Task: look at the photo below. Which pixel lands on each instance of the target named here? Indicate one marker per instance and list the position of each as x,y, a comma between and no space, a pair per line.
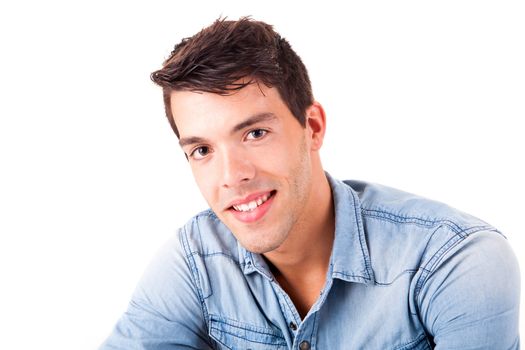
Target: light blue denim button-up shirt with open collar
405,273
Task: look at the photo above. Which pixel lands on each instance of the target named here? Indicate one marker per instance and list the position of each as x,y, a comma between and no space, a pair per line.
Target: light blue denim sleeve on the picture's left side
165,311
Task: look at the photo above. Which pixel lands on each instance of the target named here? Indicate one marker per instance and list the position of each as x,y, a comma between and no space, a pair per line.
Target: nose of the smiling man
237,168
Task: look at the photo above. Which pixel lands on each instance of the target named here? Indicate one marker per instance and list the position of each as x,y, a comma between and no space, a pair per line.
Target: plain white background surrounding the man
424,96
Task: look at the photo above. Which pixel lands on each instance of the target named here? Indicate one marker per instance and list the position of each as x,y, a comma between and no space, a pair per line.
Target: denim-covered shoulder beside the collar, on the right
406,232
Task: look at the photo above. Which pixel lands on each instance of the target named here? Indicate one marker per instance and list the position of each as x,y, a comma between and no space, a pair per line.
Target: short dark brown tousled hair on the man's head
229,55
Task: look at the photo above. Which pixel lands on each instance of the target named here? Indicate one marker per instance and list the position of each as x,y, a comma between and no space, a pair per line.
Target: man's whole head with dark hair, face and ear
240,101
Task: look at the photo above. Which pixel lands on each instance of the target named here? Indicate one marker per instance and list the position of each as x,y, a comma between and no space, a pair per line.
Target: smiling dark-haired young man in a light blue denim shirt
288,257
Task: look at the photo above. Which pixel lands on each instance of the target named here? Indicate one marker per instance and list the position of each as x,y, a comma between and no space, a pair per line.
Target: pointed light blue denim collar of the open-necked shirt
350,260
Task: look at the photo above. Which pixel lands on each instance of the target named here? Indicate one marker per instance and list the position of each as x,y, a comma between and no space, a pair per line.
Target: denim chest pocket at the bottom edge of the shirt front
233,334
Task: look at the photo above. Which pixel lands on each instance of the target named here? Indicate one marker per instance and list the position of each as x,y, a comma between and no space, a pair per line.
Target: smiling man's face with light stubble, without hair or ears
251,160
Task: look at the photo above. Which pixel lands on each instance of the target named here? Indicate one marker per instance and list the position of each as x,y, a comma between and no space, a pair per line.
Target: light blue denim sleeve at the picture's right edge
471,300
